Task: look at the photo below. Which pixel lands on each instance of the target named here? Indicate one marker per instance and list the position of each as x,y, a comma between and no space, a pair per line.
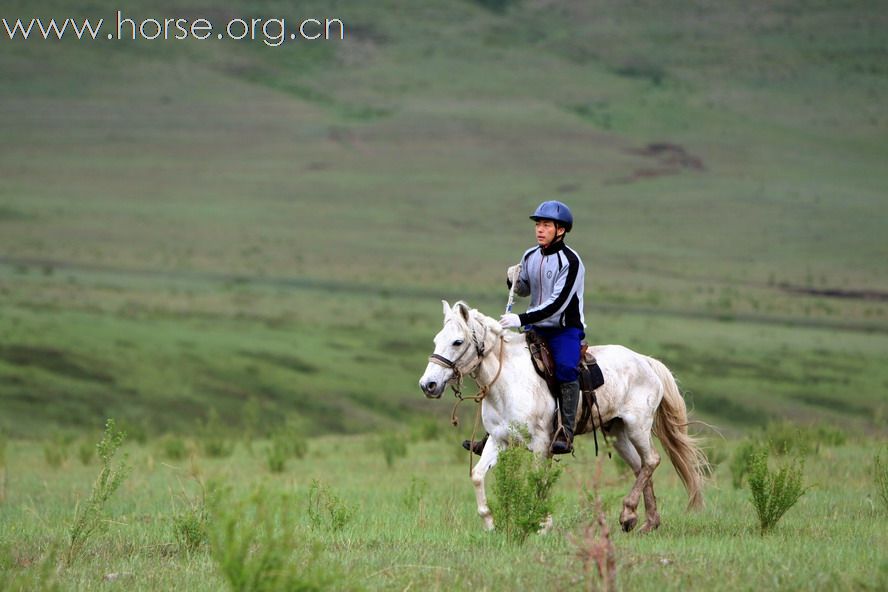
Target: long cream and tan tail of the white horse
671,427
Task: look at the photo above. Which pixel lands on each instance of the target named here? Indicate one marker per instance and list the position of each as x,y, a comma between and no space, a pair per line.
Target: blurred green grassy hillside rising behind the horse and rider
189,225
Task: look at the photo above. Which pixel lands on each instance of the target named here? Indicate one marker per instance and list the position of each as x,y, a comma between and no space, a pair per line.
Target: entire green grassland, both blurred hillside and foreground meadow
201,227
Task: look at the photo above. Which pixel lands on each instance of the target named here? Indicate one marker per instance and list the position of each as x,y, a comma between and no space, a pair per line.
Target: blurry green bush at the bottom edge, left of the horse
258,547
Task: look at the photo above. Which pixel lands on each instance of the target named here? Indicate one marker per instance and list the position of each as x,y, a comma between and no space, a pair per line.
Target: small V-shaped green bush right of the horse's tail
774,493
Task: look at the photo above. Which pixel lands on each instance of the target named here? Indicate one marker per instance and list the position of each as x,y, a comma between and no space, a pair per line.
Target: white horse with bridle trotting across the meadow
639,396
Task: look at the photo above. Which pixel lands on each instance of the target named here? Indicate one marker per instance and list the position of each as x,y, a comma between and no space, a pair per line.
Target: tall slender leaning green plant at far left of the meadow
88,518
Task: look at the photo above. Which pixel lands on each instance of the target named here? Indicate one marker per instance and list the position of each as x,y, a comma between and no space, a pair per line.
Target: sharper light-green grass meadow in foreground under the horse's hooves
414,525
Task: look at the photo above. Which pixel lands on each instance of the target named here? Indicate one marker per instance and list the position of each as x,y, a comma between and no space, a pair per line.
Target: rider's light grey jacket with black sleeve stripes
553,277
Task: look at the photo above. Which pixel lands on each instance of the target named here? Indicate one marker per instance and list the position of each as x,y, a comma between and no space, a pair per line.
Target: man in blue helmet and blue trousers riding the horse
552,274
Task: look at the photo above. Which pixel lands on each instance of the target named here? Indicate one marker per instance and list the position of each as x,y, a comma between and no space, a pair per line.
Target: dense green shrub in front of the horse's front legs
522,491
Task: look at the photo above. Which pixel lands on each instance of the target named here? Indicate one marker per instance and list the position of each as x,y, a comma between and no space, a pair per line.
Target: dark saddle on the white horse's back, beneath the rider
591,378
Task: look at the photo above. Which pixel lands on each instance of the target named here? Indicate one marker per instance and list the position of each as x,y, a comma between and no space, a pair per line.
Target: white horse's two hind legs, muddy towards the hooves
643,453
